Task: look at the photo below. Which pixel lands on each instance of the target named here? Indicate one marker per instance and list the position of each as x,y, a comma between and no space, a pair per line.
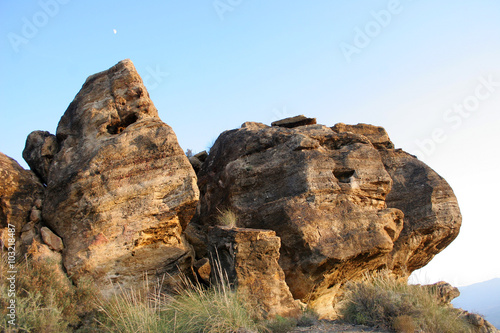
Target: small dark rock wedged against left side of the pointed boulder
40,148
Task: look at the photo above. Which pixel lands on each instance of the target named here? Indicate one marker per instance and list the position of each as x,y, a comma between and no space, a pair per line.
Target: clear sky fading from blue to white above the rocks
428,72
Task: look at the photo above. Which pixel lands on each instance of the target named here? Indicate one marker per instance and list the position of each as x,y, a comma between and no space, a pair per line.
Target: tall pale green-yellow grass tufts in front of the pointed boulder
194,308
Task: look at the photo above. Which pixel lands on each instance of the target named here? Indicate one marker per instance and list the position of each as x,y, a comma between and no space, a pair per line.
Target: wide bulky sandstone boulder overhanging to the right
328,194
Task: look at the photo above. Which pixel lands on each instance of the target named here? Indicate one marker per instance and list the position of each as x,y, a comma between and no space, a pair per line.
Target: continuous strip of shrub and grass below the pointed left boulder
48,303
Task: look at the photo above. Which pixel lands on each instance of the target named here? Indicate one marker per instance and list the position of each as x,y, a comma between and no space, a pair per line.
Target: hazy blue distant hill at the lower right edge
482,298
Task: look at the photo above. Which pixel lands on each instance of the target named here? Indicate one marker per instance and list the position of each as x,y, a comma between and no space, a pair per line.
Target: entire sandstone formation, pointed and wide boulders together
120,194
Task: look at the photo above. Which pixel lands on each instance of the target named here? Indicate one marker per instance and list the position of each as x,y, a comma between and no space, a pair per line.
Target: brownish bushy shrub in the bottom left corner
45,301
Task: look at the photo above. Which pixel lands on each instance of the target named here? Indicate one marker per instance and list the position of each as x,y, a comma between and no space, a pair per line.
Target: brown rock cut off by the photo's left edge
19,190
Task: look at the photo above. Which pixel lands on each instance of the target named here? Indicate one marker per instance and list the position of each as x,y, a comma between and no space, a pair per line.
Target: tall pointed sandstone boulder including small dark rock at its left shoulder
120,190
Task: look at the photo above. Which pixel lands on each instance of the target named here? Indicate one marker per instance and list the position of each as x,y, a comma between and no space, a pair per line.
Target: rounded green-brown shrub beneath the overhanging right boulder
383,301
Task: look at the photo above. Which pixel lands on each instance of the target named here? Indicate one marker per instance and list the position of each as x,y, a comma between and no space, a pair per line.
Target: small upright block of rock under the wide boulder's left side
250,259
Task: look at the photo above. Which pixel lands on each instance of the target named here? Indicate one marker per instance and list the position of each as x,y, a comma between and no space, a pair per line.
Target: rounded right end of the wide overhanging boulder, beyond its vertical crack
432,216
